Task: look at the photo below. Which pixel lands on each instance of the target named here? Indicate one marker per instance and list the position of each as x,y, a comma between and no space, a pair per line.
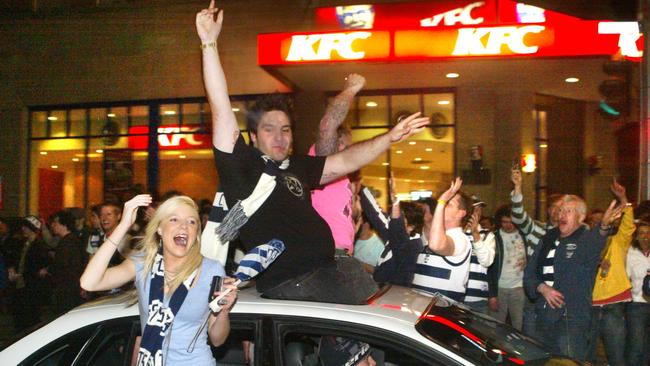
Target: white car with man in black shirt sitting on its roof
402,327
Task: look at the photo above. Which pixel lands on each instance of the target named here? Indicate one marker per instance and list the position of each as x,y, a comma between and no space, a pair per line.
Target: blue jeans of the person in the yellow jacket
608,322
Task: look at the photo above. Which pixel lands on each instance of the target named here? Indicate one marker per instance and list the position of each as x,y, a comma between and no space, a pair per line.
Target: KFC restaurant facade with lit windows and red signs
102,103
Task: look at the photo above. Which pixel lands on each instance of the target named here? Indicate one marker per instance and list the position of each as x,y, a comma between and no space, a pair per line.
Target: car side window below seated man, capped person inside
299,344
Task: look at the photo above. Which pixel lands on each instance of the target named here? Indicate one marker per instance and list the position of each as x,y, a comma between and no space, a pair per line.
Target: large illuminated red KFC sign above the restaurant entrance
452,29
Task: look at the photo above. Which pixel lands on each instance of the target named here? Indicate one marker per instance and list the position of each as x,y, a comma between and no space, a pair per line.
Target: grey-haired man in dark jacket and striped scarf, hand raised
560,276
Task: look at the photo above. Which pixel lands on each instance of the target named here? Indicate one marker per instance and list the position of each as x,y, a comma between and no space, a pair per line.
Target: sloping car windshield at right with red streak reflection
477,336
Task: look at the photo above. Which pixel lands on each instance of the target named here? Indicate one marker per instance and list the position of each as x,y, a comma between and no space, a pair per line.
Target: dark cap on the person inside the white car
339,351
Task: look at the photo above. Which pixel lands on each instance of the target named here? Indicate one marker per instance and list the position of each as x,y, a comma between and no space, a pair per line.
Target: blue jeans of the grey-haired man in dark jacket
566,337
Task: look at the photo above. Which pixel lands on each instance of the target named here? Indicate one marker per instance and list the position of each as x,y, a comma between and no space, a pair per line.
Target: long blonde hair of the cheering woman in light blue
150,244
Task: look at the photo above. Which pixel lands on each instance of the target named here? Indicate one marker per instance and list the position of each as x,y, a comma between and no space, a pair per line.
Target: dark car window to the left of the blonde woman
62,351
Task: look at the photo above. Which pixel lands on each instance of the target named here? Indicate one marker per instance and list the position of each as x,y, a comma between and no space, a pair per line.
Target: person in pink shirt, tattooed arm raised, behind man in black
334,202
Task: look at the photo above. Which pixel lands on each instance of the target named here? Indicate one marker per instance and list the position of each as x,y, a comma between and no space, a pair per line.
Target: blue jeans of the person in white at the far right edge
638,333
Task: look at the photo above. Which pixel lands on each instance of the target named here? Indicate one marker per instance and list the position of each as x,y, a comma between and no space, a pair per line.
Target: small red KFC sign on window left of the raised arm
170,138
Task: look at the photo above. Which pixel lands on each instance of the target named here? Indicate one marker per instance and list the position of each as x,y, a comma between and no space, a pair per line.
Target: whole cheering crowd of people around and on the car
569,282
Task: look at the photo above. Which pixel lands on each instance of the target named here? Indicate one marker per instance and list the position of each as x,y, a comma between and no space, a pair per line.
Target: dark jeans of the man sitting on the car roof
343,281
